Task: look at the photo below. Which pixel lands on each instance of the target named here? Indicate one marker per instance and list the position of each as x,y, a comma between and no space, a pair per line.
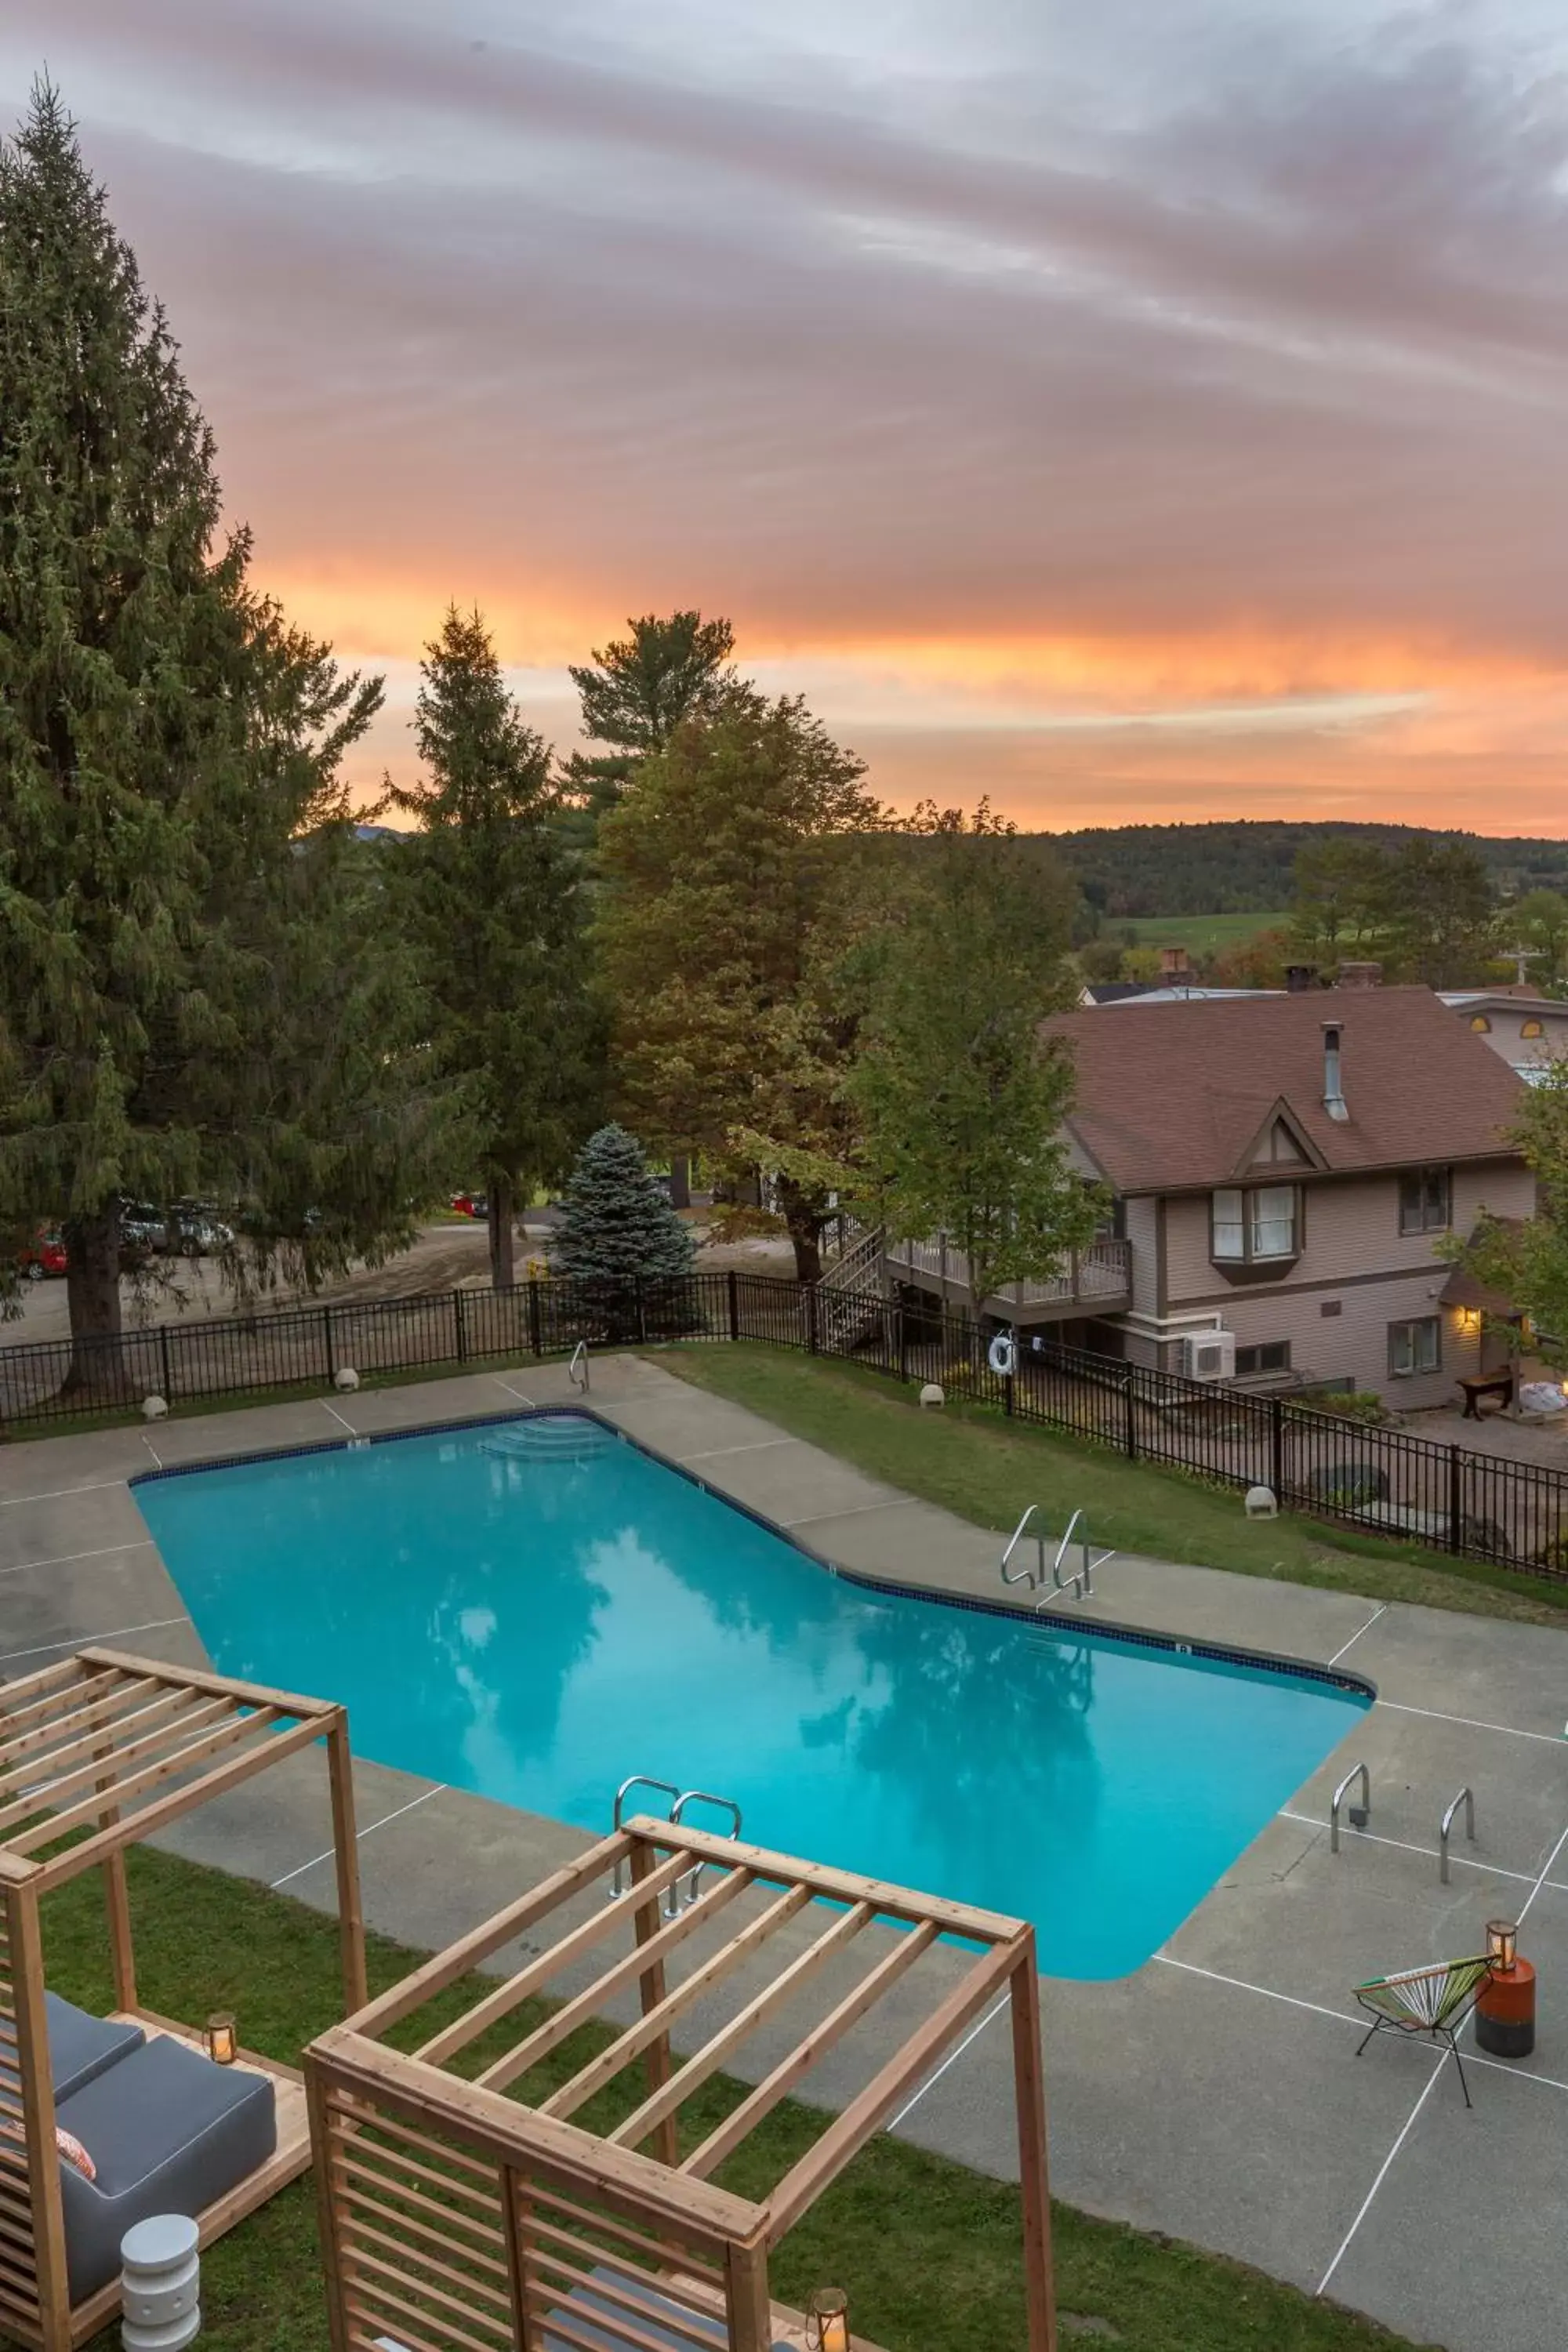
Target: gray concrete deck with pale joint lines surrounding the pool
1214,2094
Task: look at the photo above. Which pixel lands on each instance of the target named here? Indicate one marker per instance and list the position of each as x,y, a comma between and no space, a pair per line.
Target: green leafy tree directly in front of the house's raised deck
963,1100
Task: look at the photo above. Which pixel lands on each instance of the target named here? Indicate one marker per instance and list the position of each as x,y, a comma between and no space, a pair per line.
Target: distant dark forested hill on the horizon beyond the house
1240,869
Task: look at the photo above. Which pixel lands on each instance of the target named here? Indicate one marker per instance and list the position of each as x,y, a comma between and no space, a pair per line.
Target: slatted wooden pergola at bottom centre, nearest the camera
469,2210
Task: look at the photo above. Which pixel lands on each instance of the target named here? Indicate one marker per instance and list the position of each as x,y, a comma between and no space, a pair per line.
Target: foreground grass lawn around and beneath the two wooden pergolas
927,2250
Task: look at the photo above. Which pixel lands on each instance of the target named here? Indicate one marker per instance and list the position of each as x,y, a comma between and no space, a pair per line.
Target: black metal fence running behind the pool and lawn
1379,1481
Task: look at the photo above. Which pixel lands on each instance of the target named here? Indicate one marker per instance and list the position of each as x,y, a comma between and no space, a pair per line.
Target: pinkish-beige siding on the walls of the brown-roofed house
1355,1257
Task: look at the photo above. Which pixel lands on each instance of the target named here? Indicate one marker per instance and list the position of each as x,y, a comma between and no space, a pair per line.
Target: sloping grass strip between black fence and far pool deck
986,1469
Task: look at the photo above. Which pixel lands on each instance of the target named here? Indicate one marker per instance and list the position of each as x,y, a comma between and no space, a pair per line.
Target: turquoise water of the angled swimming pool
535,1626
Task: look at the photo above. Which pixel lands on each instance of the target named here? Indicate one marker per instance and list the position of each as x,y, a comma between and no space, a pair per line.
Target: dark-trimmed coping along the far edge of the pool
894,1589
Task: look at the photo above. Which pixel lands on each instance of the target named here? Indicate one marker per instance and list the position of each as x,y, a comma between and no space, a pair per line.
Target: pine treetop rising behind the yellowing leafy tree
636,695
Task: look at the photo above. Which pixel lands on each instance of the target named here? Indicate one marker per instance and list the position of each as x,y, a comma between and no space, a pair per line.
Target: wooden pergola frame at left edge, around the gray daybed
107,1749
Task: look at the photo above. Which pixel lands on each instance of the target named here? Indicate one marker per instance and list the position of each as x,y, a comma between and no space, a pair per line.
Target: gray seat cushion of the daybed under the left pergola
168,2132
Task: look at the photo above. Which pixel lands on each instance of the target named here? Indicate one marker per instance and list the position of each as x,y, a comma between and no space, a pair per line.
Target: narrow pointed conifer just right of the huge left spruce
495,914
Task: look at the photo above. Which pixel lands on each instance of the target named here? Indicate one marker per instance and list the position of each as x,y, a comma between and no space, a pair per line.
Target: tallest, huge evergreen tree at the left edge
180,1001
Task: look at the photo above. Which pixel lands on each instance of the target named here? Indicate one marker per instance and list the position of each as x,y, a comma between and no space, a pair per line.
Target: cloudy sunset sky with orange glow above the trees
1130,408
